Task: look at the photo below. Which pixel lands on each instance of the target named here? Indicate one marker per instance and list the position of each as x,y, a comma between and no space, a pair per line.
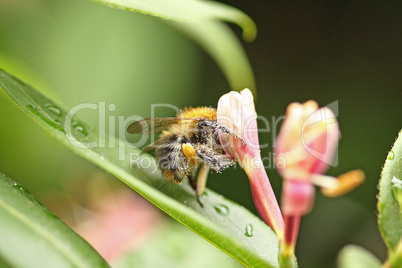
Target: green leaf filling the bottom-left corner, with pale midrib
32,236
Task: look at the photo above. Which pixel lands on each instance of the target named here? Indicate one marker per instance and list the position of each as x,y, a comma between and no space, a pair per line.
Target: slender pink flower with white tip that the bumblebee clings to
236,112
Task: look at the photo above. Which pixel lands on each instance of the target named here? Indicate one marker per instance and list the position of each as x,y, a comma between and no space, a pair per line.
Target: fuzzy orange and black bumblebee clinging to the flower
187,142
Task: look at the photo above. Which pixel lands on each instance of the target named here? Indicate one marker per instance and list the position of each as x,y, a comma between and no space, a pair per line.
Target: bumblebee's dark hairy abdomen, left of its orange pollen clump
171,159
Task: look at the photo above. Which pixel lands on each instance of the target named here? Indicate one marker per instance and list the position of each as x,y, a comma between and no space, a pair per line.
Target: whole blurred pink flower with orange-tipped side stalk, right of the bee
306,144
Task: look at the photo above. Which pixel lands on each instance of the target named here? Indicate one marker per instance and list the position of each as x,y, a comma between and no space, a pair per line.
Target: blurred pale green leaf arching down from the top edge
201,20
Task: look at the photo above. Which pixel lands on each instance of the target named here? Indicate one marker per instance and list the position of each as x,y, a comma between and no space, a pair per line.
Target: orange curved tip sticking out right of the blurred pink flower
346,182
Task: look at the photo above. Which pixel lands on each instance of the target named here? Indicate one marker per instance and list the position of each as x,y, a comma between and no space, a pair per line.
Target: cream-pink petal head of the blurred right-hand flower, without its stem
307,140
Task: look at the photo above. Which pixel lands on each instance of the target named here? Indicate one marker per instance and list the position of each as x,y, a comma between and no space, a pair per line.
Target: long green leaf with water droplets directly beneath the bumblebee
225,224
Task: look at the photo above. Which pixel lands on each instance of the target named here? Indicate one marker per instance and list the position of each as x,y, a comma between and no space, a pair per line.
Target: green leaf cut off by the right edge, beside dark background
389,210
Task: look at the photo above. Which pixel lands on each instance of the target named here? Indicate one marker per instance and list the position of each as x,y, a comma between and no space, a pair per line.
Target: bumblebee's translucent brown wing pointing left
155,125
